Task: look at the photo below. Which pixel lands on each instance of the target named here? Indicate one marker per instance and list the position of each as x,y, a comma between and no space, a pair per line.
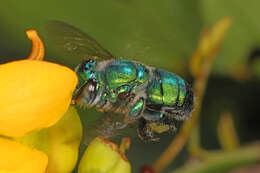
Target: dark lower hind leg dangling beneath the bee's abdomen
144,131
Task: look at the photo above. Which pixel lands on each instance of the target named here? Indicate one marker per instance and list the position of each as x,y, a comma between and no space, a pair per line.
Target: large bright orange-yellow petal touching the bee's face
34,94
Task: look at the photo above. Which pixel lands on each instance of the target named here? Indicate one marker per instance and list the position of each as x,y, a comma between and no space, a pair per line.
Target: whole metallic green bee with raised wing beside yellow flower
152,97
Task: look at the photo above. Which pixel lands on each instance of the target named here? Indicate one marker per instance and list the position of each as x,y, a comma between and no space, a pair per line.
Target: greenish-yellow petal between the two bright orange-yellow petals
60,142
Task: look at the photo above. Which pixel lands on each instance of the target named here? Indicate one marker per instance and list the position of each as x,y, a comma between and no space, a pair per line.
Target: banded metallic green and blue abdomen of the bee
168,90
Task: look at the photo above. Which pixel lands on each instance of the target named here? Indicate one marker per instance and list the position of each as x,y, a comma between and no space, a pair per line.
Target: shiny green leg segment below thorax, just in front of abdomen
135,109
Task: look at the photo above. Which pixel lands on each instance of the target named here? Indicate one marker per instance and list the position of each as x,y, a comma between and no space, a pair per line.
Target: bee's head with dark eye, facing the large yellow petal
86,90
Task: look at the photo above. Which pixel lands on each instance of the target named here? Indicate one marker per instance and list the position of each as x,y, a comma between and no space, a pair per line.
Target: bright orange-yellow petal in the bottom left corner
18,158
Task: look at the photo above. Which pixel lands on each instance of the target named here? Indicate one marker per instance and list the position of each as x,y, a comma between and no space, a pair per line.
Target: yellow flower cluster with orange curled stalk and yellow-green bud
39,131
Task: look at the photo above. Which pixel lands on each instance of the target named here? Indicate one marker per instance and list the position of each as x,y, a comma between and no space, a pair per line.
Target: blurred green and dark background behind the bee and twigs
163,34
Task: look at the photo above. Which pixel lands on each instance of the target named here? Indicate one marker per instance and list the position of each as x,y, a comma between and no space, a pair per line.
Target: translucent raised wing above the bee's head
73,41
